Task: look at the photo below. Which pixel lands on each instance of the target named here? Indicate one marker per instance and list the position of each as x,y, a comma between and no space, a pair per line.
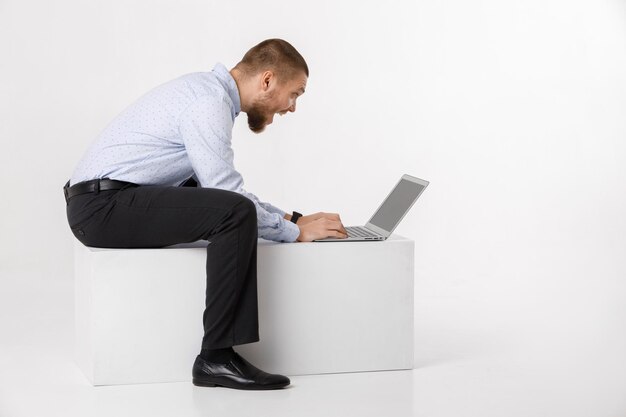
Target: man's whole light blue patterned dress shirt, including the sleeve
180,129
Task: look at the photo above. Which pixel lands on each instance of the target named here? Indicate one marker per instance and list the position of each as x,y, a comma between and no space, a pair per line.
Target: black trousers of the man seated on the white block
153,216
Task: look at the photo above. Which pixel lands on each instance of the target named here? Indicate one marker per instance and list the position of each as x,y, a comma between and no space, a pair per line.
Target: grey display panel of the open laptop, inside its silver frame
397,204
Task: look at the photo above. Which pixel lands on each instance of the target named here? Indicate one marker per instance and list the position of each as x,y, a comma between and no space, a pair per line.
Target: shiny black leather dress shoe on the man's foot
238,373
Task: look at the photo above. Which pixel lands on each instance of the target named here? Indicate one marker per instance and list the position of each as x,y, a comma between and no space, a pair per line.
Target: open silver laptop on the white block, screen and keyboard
388,215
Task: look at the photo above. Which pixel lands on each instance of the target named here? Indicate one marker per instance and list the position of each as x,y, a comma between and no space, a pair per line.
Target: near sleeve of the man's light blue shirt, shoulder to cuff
206,130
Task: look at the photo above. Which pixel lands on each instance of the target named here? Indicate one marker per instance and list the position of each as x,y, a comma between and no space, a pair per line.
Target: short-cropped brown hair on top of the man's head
276,55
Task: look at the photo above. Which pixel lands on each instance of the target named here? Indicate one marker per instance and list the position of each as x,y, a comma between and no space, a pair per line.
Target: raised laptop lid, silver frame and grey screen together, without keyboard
396,205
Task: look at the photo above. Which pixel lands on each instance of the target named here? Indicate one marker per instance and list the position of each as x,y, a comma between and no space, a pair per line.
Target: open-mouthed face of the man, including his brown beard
274,97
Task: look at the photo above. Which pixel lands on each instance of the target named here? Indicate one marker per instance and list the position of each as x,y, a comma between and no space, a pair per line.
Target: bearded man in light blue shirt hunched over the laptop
126,193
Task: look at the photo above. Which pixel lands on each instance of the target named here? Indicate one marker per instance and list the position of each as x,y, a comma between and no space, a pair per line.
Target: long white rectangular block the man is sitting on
323,308
